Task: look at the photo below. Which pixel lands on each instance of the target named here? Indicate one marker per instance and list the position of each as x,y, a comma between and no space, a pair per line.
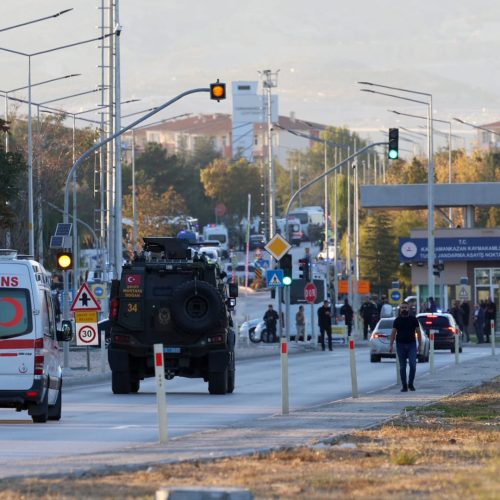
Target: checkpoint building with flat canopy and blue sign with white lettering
469,257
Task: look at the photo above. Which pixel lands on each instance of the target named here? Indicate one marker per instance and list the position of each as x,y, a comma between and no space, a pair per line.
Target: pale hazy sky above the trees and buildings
322,48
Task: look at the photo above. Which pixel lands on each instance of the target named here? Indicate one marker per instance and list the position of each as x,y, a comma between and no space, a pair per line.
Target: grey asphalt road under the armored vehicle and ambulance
96,422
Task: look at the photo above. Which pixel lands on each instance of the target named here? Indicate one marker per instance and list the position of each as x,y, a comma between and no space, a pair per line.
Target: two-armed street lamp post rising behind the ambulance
31,236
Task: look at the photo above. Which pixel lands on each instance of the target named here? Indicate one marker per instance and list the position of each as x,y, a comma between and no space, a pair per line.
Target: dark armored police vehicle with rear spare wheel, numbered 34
172,295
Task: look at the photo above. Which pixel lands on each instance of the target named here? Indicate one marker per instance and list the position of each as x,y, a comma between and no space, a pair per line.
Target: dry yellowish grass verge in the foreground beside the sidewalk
447,450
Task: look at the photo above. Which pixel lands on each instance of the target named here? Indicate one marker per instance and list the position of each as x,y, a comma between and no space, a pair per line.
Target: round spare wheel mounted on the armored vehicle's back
197,307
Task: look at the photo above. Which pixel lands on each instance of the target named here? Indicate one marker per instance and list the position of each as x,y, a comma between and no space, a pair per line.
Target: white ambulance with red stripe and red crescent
30,368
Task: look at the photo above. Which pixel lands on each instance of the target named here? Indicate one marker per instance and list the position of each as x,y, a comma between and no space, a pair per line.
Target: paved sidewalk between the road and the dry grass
310,427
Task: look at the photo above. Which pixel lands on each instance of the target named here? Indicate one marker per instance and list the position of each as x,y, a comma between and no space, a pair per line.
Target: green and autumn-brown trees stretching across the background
172,183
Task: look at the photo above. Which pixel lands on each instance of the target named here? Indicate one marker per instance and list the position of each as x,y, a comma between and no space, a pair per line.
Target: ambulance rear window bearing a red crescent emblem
15,312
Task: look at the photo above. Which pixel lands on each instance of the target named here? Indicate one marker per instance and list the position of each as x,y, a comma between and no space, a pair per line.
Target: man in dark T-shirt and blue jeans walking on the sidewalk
406,333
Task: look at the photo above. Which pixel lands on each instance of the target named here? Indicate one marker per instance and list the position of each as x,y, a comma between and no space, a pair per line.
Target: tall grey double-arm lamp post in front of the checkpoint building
430,172
